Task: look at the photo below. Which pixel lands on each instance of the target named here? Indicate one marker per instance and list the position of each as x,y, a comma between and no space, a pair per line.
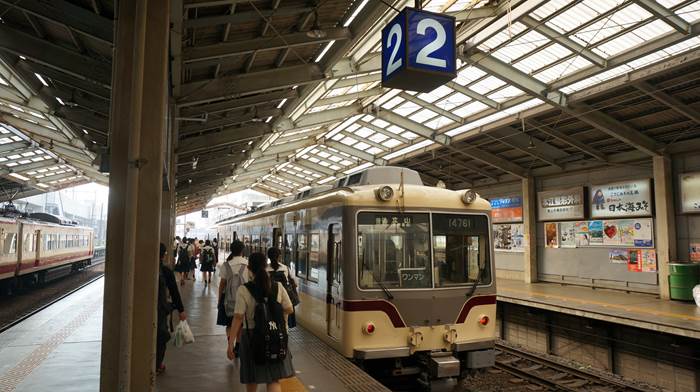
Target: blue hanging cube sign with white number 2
418,50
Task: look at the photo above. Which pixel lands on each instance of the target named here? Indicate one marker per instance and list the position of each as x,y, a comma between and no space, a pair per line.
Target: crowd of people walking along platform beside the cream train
256,300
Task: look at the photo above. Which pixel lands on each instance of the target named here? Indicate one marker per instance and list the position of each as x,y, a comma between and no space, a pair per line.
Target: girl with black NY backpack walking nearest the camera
261,310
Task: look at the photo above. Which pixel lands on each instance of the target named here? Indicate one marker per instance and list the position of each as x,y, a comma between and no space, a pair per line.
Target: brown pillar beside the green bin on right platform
665,220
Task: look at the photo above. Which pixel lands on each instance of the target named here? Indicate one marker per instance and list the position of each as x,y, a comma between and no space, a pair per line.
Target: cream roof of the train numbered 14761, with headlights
360,189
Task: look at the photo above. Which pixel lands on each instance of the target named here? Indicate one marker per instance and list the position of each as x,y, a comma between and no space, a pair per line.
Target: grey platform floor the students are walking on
58,349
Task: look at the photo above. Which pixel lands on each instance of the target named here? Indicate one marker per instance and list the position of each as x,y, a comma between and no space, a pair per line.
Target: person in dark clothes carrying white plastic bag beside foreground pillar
167,288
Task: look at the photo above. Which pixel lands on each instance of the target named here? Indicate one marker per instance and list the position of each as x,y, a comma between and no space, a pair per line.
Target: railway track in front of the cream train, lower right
554,376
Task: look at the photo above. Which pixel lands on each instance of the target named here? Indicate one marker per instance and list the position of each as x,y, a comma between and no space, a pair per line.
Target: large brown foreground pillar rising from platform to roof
137,127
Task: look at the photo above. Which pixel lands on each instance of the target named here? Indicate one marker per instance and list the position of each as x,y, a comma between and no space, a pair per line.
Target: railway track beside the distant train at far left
41,298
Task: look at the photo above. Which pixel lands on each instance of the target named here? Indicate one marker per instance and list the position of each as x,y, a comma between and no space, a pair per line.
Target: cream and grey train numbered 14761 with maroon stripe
393,274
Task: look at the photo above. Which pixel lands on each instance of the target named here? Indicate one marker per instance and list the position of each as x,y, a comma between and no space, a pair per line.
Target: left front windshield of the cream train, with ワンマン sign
393,250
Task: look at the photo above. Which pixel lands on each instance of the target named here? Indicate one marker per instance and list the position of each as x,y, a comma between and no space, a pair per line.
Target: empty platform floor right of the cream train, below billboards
633,309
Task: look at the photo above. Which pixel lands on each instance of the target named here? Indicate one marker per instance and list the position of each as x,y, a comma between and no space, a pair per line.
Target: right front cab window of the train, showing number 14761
461,249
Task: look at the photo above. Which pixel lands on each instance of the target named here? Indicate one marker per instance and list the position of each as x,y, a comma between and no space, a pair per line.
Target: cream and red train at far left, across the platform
40,247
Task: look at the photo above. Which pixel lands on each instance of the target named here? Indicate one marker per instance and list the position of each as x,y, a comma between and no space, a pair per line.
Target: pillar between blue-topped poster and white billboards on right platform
530,230
